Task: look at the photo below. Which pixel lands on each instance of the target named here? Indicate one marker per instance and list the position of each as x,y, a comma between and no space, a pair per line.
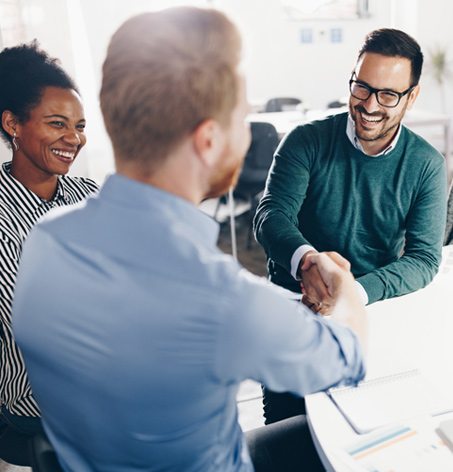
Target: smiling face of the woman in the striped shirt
54,134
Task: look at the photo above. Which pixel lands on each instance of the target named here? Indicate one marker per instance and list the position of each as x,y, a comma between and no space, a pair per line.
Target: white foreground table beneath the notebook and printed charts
415,330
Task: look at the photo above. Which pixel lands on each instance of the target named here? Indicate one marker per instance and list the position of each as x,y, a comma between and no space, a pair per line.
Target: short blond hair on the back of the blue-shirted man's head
165,73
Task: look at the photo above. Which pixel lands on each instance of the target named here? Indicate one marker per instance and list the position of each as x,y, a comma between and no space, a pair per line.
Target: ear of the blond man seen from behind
208,140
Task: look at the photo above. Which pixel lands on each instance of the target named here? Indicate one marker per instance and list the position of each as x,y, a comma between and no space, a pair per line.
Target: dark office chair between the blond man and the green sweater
258,160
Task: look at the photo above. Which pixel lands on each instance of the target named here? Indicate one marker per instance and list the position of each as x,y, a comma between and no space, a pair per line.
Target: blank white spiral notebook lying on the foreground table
386,400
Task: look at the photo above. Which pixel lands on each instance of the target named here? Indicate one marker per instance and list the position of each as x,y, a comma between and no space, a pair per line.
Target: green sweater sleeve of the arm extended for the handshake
276,223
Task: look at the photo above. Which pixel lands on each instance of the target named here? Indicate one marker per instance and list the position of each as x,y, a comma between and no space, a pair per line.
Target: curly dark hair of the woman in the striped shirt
25,71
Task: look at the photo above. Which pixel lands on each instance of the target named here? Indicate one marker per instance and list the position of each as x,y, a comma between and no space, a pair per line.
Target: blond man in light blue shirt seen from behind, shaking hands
153,328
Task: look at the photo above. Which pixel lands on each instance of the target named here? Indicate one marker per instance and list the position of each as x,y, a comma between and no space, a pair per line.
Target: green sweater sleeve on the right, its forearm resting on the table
425,227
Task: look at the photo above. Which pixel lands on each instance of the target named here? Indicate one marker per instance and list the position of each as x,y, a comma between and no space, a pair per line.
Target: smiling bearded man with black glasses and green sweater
361,184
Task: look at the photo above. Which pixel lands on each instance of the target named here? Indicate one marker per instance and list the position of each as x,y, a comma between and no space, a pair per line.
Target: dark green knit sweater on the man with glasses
323,191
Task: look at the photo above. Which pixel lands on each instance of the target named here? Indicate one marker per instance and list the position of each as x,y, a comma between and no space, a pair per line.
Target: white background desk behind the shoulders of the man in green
287,120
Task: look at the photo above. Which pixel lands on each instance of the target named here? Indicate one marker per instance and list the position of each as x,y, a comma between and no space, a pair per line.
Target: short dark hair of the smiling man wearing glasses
393,42
